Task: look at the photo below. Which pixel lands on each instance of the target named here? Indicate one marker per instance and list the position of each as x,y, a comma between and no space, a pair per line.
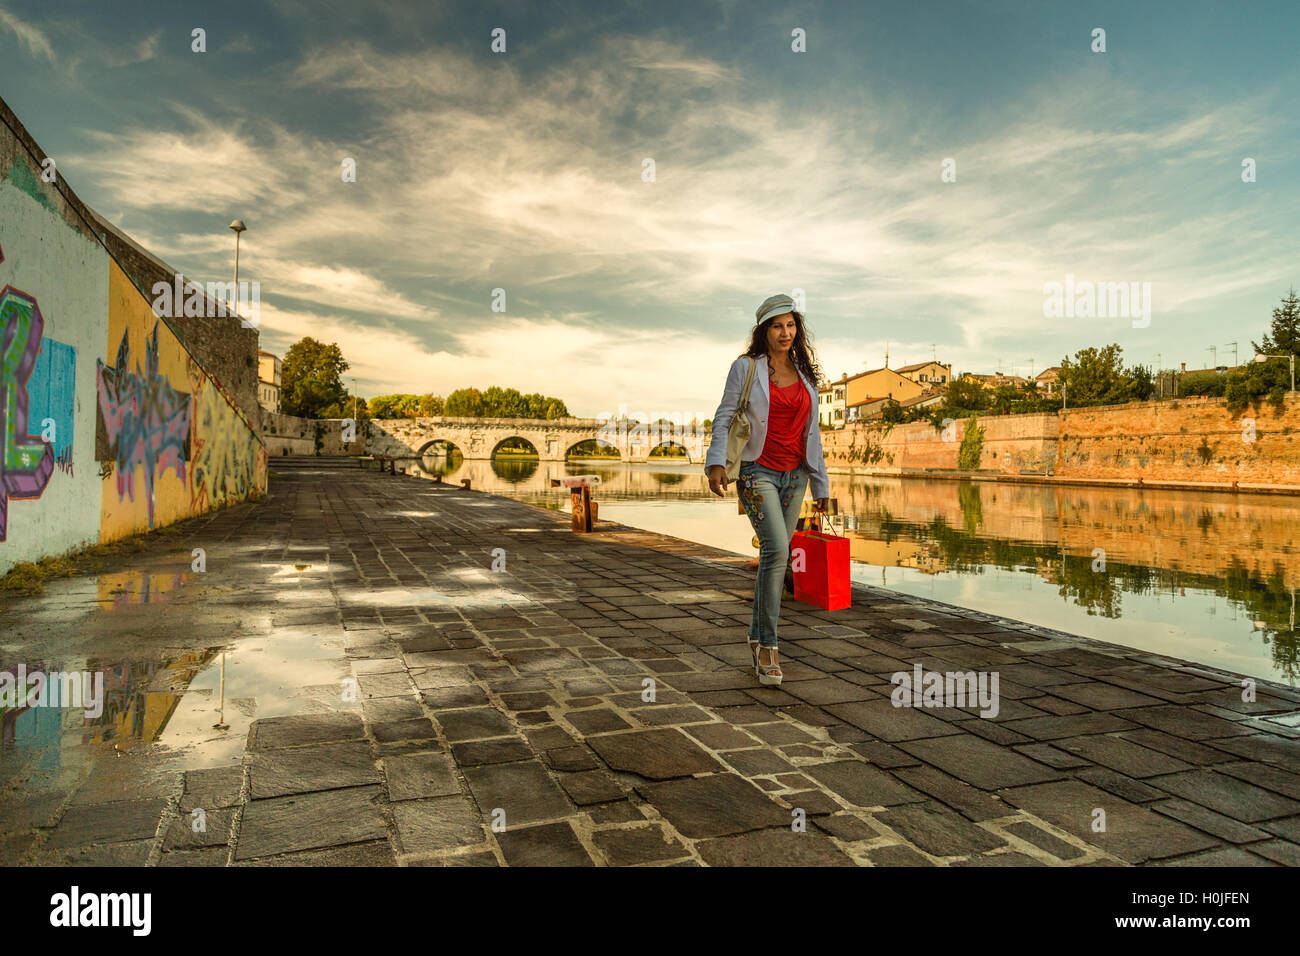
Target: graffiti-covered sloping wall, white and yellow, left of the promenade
111,423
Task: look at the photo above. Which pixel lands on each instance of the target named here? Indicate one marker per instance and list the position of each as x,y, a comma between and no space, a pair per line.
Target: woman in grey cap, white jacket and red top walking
782,457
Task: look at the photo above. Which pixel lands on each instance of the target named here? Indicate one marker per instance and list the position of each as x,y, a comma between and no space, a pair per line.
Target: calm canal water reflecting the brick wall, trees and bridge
1204,577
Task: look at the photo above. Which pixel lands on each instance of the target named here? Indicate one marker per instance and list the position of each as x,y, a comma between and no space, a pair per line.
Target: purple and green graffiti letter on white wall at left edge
27,461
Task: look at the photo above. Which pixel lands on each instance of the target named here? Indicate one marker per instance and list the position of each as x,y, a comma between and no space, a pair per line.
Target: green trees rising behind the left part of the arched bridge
311,387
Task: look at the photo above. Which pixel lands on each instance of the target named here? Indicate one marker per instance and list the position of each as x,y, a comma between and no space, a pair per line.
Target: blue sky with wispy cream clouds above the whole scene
774,171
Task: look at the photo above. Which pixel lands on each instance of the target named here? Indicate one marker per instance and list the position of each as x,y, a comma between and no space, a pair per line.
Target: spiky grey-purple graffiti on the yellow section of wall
146,422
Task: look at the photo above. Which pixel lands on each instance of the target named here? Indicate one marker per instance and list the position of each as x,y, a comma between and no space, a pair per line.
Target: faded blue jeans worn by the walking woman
773,501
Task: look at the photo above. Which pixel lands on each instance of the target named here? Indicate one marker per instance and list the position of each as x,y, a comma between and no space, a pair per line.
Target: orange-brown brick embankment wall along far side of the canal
1185,440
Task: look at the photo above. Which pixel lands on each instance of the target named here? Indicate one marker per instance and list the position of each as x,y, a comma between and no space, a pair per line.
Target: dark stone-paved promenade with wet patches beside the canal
515,698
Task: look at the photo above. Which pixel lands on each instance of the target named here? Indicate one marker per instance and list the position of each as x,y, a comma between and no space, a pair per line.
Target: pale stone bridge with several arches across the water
552,438
